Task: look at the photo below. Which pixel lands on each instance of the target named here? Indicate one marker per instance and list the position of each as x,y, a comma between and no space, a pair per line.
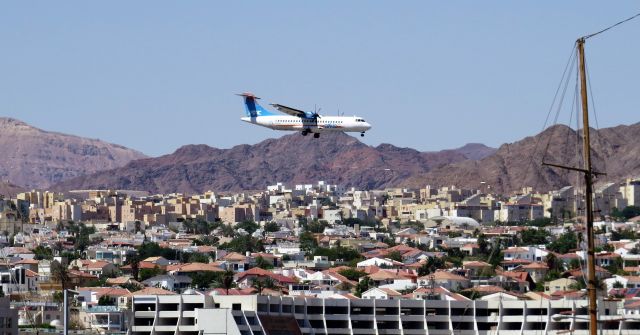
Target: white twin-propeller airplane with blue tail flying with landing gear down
298,120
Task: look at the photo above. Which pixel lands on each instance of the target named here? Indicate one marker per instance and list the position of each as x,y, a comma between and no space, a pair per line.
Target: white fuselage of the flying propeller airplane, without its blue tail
319,125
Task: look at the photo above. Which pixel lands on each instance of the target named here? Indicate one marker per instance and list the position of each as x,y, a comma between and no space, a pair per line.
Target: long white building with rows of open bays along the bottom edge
260,315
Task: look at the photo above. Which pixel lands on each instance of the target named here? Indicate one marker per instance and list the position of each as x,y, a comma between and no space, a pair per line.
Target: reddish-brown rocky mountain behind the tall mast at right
615,151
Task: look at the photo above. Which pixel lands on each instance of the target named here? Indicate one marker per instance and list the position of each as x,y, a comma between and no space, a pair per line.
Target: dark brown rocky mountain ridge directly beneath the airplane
336,158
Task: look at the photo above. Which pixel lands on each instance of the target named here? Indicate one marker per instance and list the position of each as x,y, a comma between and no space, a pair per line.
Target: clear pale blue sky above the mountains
156,75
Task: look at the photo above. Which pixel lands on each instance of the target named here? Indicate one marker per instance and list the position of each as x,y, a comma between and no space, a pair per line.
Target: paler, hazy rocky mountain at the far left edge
35,158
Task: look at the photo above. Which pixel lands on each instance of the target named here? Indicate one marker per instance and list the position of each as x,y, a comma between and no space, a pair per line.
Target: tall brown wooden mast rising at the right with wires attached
588,178
